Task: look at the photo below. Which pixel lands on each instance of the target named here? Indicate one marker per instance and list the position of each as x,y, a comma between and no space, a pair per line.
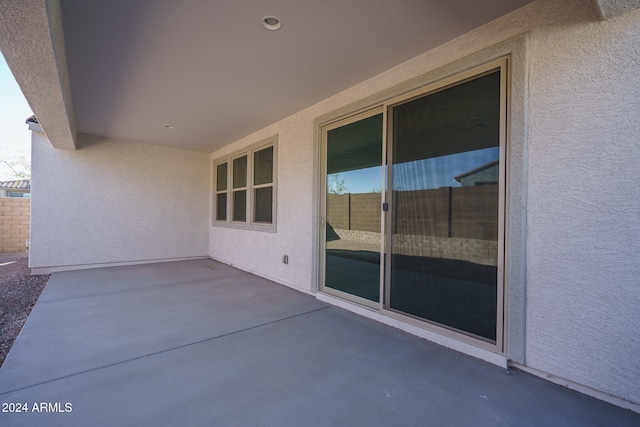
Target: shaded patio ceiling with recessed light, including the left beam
130,69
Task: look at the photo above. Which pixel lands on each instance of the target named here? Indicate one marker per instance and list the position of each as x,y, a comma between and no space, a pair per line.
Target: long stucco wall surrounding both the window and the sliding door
581,205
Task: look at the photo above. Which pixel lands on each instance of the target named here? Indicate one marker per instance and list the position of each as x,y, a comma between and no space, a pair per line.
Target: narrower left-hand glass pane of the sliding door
353,203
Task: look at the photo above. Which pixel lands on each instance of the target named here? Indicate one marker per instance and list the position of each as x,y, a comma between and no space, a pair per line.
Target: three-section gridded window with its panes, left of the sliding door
244,188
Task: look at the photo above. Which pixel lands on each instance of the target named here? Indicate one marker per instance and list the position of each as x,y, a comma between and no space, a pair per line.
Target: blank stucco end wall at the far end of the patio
116,201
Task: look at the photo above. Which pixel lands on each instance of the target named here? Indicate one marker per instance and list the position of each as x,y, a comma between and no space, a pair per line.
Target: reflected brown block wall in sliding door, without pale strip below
462,212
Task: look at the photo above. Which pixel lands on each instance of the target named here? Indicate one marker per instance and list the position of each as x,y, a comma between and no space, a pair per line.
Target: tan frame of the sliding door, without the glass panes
385,107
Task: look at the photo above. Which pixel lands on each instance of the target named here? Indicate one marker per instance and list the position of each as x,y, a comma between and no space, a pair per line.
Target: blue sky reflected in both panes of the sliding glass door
420,174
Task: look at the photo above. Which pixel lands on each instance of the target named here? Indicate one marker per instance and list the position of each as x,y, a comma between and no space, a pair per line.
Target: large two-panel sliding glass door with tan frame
427,228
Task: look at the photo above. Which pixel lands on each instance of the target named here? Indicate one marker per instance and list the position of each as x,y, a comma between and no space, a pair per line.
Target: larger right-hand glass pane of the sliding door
445,207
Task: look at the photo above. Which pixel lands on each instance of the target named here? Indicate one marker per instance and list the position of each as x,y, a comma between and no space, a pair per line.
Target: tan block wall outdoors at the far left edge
14,224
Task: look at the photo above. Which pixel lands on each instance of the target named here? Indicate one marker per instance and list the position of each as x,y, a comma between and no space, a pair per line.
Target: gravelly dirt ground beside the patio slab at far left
19,291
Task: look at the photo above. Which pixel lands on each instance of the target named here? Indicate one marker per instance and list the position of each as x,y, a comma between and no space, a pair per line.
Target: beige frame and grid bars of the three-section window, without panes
250,223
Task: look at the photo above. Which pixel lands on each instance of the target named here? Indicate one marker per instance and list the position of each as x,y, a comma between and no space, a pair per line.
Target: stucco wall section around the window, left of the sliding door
261,252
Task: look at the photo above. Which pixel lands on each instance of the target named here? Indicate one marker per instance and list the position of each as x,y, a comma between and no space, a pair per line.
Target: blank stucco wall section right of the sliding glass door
583,296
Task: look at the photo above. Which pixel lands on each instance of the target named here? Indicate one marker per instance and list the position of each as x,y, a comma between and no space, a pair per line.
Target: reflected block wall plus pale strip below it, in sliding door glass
454,223
